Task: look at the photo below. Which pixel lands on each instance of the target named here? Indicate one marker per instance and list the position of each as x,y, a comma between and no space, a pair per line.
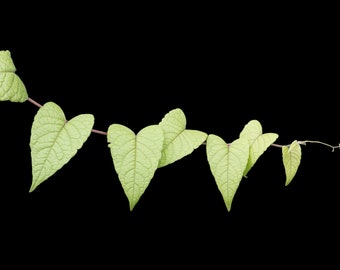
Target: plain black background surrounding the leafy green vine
223,67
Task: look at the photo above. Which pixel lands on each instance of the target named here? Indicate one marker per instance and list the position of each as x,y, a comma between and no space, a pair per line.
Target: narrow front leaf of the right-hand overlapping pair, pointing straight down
227,164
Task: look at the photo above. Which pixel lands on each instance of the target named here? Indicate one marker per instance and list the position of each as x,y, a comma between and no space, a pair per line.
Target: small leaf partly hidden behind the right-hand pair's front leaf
258,142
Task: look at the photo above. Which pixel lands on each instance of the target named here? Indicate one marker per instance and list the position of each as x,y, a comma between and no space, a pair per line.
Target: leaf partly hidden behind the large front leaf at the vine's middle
178,141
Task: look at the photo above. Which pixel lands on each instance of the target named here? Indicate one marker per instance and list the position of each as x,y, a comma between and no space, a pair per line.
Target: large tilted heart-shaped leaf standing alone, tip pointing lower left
54,140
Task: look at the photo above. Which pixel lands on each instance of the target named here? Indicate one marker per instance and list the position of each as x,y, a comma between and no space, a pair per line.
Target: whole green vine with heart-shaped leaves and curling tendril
55,140
